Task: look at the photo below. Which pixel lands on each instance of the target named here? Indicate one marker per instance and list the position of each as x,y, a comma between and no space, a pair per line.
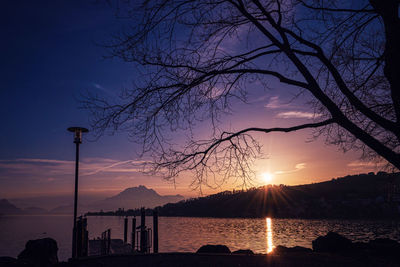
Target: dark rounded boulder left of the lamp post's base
40,252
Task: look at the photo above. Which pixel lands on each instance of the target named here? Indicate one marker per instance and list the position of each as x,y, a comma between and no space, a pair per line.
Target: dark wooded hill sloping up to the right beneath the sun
357,196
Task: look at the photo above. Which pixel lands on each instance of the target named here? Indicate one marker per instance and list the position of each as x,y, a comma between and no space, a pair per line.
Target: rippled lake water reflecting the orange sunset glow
188,234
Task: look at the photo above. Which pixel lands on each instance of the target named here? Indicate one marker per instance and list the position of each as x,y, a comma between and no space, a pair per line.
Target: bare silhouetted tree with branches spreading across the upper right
342,56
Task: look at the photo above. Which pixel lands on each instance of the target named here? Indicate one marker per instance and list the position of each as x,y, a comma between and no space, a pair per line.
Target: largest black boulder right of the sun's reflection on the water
332,242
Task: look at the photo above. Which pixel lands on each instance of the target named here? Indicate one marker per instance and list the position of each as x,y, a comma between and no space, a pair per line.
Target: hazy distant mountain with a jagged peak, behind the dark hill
134,197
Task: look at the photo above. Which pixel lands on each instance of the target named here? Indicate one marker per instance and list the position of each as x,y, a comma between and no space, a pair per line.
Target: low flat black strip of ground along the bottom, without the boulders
196,259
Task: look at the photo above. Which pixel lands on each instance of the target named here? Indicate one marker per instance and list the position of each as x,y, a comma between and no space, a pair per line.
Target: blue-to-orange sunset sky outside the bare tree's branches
52,54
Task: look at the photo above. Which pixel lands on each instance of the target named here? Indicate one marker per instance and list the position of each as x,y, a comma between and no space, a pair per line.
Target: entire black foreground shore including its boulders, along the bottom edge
329,250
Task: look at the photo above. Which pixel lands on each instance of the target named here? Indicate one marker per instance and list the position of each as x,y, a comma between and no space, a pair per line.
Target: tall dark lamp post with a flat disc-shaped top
77,140
